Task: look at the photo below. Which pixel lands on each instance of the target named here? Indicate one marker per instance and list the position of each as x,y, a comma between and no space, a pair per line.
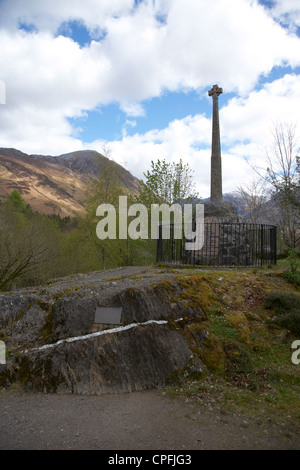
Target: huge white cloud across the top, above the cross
140,57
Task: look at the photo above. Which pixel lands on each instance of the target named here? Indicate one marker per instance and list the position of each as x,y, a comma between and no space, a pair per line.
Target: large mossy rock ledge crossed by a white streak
51,345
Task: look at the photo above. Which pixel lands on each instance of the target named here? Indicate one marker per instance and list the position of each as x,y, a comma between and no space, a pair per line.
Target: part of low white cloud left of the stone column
180,139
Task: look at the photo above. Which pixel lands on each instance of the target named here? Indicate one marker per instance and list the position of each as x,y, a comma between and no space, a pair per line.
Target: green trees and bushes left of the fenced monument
35,248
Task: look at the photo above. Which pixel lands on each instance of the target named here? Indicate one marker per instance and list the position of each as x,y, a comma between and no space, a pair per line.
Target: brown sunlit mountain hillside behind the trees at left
54,184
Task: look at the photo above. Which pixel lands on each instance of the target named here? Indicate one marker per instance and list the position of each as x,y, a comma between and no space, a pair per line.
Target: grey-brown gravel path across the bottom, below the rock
147,420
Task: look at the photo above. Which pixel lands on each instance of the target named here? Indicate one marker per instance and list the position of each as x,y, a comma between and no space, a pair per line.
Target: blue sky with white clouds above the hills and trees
130,79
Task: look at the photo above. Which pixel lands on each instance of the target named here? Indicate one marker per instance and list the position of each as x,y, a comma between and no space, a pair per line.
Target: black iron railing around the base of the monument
225,244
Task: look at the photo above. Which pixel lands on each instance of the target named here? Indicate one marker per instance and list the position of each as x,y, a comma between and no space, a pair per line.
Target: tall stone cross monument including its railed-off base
228,239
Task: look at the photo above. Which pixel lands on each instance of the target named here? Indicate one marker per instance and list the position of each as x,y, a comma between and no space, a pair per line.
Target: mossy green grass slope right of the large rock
259,376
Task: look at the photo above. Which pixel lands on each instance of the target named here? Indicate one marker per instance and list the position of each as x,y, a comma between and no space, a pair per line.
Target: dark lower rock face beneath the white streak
135,359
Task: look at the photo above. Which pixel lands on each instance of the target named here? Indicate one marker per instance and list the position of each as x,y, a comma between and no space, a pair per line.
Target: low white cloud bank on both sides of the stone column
246,127
